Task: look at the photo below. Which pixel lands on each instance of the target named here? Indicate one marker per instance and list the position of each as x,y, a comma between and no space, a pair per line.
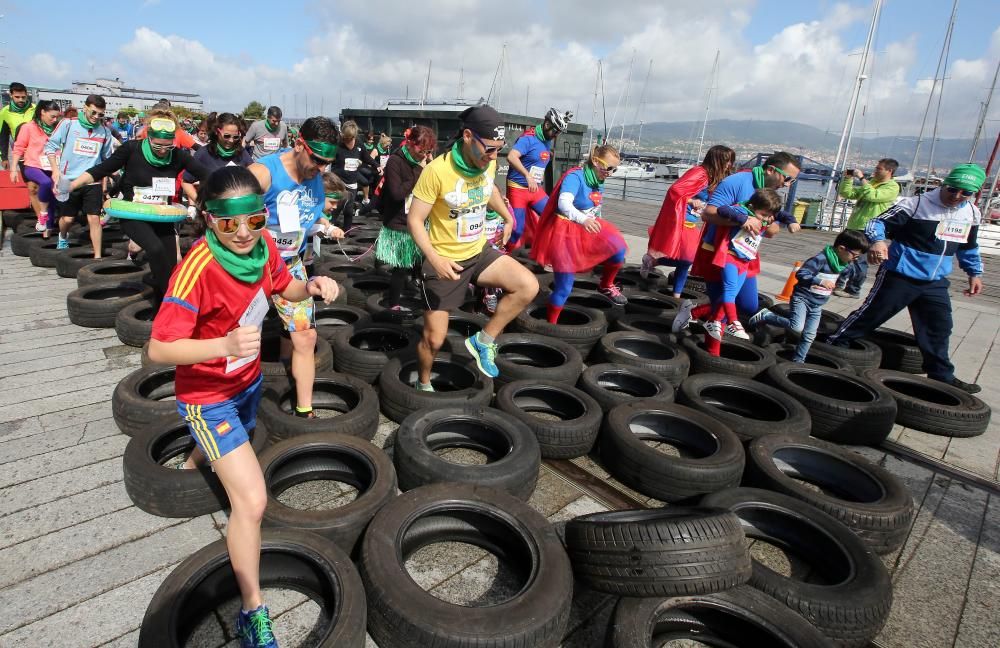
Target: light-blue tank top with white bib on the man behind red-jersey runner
289,201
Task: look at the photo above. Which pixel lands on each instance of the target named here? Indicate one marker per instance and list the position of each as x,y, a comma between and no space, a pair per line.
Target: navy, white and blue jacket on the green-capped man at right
926,235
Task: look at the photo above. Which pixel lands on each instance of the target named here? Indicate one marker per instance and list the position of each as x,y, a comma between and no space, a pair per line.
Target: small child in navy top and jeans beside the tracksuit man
817,279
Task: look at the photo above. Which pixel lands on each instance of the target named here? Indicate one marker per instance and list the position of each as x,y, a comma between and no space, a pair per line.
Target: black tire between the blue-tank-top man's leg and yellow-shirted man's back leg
364,350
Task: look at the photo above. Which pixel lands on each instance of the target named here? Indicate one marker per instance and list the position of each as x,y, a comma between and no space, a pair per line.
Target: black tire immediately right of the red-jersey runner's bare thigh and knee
326,456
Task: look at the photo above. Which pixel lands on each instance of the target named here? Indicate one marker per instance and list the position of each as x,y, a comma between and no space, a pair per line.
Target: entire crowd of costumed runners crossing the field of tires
446,226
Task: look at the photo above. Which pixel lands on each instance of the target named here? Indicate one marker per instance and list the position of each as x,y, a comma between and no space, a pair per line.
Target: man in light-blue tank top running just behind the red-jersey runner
292,182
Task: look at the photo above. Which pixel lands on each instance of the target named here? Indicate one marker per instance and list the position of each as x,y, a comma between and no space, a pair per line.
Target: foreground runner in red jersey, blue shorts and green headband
209,326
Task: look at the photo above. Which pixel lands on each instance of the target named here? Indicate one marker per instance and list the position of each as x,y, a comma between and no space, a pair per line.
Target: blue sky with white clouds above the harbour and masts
779,60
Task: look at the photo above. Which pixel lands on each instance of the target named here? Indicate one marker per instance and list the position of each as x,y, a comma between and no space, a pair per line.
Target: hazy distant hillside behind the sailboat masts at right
804,139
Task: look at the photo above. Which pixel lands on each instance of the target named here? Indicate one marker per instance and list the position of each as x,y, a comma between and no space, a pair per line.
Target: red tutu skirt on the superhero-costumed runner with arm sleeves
568,247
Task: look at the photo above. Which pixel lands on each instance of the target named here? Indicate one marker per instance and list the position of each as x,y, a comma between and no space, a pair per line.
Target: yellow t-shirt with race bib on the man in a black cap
458,209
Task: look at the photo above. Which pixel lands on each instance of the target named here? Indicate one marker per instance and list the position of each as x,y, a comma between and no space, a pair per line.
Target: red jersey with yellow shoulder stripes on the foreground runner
204,302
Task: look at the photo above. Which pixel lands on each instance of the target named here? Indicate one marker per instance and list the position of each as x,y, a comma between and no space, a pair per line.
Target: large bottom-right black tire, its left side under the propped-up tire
852,602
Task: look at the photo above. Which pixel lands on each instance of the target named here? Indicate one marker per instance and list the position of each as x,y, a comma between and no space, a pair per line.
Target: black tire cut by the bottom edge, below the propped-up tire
742,616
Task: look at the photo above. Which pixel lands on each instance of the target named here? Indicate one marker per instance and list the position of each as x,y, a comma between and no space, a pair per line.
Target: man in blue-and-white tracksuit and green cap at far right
926,232
